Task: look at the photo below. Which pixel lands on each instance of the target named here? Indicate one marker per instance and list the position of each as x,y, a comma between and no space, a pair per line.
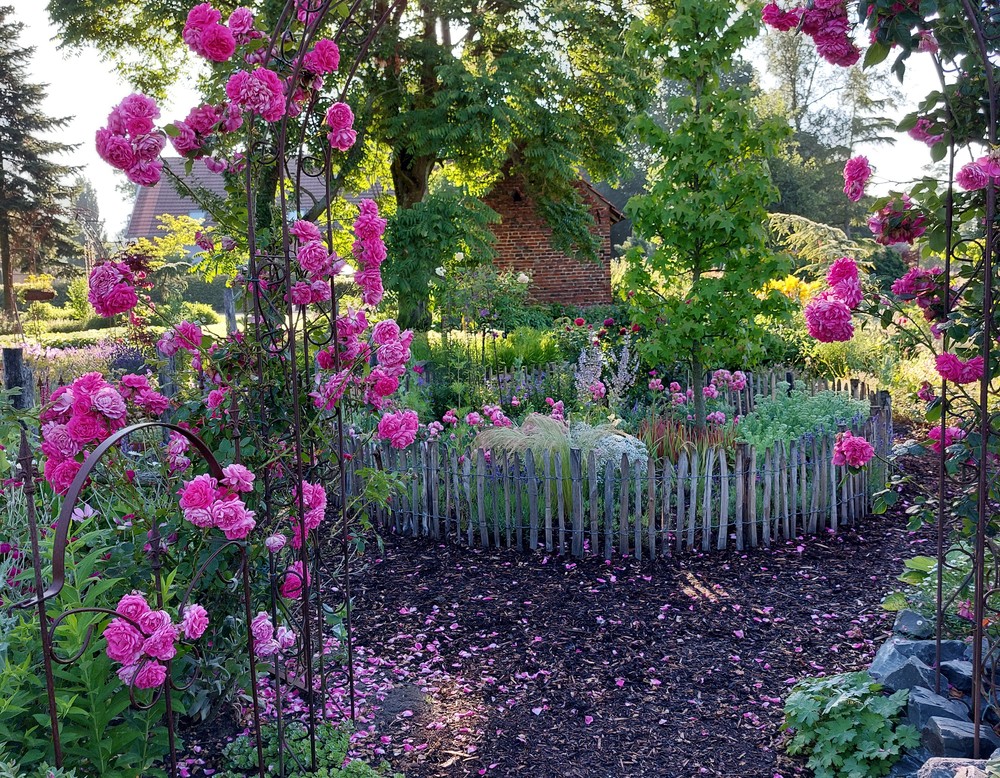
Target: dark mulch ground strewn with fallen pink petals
672,669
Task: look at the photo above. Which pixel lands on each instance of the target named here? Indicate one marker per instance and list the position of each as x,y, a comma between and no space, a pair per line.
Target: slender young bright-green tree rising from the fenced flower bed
697,286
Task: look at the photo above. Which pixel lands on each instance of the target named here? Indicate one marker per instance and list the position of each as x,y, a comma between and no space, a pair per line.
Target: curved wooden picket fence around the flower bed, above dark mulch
712,500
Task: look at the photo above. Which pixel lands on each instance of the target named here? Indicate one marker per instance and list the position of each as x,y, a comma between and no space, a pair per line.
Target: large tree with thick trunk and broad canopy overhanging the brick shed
463,90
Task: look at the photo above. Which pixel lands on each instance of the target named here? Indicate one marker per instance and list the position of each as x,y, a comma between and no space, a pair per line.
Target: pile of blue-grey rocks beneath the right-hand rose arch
942,714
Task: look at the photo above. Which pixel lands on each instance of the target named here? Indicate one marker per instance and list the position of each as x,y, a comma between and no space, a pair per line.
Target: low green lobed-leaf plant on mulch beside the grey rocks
847,726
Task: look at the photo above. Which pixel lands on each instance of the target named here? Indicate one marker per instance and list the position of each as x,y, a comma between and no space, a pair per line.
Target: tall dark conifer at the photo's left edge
33,193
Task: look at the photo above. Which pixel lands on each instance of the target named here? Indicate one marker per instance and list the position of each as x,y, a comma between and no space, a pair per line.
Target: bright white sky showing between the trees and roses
82,86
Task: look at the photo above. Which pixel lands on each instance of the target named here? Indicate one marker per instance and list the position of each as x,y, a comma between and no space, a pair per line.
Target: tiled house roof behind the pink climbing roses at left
163,197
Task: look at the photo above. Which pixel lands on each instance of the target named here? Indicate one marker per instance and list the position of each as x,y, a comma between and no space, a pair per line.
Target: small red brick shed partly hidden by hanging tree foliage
523,246
